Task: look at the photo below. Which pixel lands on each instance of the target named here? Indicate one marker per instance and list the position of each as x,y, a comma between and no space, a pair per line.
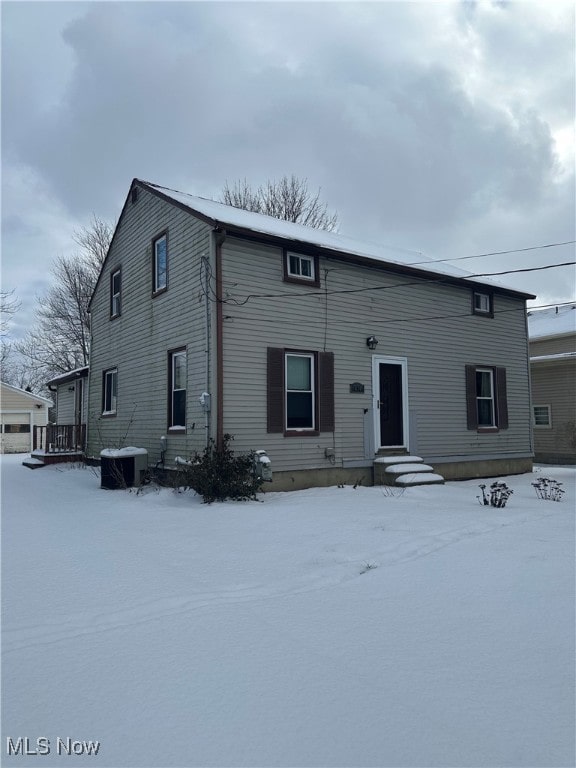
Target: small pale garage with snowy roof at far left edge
20,413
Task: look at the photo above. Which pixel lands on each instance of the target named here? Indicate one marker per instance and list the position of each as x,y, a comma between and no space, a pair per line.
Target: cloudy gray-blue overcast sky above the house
447,128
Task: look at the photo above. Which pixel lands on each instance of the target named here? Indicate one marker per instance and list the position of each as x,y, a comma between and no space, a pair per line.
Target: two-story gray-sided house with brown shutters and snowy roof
324,352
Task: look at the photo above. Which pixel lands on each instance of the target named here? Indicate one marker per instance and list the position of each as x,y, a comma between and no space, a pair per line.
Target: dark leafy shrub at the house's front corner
217,474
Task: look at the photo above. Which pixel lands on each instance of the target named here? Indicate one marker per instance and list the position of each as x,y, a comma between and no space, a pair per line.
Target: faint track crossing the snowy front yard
78,625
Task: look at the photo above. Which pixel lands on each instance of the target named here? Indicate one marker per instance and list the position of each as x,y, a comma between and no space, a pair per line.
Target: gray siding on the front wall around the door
429,323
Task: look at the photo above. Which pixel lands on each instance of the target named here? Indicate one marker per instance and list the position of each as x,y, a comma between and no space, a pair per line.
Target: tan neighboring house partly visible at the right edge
552,335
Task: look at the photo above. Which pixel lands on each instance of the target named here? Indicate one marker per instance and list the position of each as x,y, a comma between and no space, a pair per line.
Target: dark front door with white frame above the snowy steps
391,407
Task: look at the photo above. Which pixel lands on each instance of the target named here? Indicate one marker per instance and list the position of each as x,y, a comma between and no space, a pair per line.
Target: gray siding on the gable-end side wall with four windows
138,341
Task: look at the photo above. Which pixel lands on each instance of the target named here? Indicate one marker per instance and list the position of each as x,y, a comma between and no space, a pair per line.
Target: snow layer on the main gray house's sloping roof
268,225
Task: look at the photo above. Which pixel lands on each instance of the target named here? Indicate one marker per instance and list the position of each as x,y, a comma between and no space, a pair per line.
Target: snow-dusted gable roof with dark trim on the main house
239,222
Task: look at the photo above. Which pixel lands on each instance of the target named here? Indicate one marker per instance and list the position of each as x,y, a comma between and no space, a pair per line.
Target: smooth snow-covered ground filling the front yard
329,627
